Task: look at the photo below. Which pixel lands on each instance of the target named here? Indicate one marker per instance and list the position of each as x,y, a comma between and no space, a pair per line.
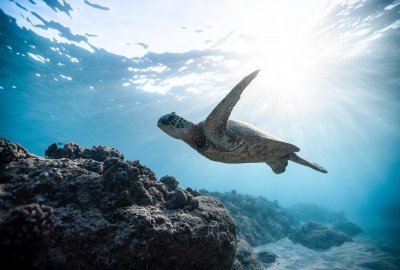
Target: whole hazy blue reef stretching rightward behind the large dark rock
260,221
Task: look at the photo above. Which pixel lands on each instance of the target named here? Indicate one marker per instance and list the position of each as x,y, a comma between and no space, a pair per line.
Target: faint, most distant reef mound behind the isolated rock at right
303,212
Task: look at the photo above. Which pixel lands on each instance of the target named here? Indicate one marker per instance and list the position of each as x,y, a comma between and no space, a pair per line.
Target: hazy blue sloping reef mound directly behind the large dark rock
259,221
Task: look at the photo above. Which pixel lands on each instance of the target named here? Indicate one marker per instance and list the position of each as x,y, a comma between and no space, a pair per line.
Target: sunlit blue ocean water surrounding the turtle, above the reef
102,73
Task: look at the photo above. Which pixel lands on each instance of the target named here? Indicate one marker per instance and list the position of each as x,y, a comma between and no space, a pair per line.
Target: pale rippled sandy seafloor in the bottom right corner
376,249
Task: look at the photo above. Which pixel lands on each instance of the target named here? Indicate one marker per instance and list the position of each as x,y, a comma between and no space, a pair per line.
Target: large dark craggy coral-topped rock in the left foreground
89,209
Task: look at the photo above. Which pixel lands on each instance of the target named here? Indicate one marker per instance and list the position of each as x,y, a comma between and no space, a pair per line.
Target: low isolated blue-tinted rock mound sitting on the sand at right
317,236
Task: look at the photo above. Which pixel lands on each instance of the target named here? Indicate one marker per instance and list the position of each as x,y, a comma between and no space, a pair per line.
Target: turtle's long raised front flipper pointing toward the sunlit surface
216,121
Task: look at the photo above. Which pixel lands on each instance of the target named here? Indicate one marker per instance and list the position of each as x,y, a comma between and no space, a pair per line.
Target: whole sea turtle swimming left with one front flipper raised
230,141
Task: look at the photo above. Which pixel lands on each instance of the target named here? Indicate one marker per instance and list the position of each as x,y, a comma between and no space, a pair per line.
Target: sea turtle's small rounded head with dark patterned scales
175,126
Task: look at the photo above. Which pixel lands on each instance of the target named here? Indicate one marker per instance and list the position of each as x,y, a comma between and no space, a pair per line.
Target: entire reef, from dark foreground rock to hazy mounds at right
88,208
